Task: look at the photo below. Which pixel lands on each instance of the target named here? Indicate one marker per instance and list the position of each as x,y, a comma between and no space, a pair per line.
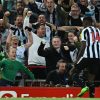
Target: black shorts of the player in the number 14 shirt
92,65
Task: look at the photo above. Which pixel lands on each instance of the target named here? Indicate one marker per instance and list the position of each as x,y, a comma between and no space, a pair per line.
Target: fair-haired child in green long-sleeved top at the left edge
9,68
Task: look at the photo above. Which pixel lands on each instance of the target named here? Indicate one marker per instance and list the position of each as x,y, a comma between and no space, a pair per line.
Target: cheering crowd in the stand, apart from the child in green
46,36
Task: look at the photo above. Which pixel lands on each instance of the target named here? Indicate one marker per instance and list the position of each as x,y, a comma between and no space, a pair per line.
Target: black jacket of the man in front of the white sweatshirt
51,56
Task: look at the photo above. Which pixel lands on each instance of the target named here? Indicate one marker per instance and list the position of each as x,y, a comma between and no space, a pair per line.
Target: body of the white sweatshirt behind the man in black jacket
33,57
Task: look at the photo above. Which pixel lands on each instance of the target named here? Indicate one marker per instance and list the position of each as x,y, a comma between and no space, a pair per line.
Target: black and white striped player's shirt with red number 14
92,37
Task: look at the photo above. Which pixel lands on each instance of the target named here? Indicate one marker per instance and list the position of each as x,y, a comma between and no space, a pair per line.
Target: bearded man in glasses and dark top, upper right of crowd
74,18
